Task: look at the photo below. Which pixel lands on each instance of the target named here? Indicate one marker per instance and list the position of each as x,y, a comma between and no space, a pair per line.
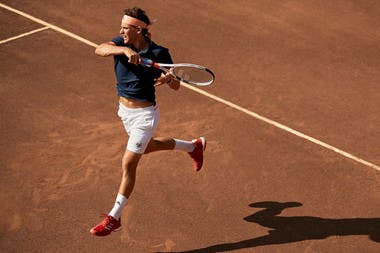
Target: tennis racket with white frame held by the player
185,72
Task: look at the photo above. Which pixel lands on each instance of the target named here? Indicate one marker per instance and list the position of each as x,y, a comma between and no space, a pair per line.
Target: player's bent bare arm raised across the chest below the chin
110,48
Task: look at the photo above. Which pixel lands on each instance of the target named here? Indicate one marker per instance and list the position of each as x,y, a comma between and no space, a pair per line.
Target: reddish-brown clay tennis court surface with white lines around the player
292,123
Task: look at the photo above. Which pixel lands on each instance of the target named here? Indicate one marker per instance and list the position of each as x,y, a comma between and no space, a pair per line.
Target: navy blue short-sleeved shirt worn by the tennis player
137,81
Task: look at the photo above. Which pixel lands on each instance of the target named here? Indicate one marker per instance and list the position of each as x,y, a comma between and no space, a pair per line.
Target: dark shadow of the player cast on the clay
296,228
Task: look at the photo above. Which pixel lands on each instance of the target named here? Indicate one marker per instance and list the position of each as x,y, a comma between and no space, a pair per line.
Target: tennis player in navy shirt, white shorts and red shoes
137,105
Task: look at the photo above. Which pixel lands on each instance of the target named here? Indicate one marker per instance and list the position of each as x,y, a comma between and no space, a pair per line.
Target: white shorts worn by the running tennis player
140,124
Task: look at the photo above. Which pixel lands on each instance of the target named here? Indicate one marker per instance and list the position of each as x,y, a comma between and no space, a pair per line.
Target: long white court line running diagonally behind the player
220,100
